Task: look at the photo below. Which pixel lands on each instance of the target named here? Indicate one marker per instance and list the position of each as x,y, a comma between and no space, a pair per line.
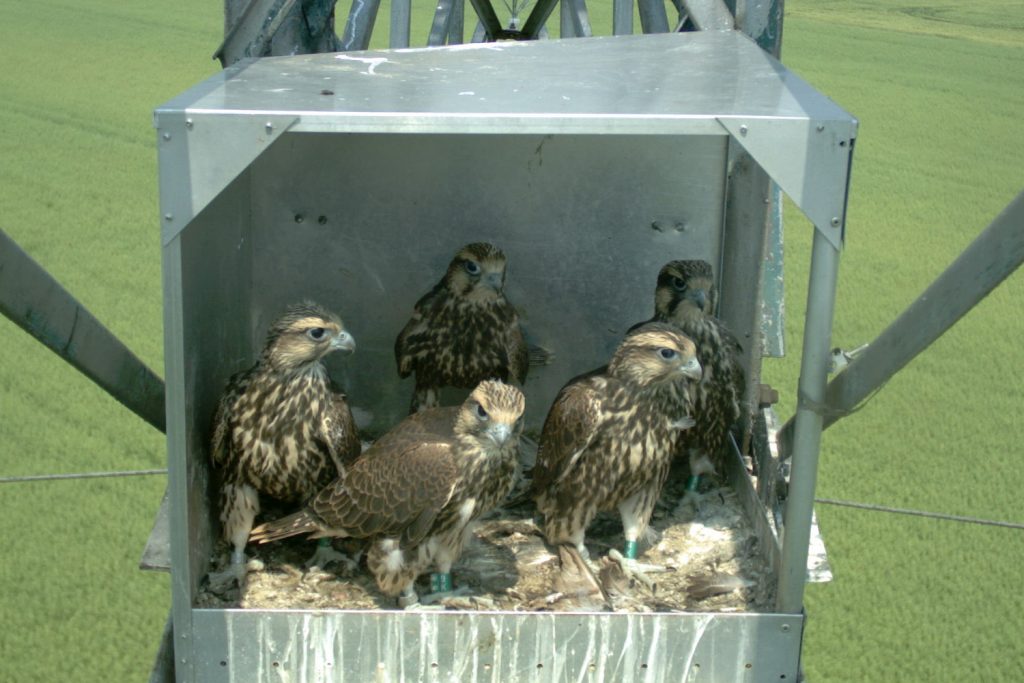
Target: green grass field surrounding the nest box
938,92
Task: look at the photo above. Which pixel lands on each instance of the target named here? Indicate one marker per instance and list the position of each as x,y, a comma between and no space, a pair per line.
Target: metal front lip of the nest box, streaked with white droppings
504,648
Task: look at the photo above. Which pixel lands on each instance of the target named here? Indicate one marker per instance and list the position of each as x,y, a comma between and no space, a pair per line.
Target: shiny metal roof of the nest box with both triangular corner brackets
705,83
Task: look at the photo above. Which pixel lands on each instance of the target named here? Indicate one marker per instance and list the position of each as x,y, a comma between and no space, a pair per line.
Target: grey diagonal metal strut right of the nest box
995,254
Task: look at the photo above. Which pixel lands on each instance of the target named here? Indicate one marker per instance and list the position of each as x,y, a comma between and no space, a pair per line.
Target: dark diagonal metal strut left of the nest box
38,305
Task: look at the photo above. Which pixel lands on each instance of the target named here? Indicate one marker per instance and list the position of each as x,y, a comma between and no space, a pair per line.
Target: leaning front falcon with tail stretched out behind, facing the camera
415,492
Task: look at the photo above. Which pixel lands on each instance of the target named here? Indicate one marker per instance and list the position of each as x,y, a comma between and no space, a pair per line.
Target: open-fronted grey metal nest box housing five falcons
352,179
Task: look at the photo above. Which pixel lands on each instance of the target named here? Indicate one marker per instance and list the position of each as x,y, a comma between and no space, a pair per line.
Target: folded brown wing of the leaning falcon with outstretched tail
397,489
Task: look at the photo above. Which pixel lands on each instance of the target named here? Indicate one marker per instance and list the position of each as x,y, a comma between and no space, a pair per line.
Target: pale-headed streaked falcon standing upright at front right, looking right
611,435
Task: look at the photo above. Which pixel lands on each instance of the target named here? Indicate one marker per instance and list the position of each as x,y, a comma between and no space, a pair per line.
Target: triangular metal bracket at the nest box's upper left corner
191,177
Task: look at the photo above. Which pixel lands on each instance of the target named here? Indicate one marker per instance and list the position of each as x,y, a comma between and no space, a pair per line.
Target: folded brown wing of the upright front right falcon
570,429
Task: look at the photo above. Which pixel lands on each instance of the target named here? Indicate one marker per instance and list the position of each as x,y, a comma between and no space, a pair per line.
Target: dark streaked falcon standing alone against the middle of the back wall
464,331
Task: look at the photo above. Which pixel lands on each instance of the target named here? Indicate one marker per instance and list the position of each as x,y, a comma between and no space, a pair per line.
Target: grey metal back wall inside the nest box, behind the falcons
367,224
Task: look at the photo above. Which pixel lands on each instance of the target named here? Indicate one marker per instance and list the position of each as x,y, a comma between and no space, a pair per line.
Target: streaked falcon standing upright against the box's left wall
280,429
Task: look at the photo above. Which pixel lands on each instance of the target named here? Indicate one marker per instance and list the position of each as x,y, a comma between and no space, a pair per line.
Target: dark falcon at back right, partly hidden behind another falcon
686,297
